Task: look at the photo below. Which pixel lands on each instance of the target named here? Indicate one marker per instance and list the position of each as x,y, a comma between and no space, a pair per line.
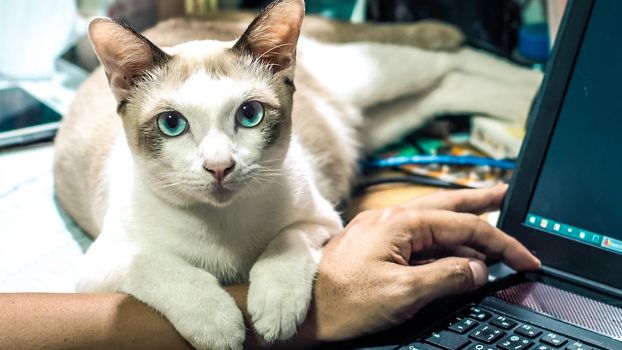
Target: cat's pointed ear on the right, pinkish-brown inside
273,35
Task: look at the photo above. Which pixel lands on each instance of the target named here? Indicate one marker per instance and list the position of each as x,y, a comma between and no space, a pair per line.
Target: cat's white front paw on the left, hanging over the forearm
219,327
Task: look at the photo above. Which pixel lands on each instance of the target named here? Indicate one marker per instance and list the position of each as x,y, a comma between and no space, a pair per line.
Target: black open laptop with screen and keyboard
564,204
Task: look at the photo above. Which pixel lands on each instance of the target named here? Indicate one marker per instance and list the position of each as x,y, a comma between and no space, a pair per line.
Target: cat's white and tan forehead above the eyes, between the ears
204,75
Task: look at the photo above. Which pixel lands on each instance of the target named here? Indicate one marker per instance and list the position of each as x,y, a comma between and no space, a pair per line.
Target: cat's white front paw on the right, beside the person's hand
278,302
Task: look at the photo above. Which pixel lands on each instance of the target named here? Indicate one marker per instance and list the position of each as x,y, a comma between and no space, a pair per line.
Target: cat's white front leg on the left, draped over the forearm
189,297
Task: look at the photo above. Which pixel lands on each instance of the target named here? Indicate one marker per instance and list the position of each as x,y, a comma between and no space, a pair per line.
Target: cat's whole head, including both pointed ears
206,121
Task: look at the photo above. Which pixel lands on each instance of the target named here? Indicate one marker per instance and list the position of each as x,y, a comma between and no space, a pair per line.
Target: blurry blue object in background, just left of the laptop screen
533,41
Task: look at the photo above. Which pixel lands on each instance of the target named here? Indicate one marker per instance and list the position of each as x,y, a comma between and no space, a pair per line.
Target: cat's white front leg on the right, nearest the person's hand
281,281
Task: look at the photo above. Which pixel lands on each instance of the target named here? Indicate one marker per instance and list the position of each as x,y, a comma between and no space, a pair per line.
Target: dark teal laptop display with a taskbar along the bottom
579,189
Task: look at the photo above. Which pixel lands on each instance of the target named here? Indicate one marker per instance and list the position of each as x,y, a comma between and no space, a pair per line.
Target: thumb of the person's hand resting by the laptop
450,276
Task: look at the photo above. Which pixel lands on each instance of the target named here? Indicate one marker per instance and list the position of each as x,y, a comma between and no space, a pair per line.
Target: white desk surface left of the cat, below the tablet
40,248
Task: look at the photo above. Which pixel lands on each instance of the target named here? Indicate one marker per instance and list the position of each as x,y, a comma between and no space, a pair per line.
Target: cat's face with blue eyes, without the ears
208,127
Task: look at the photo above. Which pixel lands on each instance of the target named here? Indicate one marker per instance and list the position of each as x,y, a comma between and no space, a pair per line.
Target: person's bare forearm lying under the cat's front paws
103,321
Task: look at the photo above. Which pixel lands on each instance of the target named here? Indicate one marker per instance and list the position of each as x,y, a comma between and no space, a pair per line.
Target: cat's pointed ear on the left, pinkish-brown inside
125,54
